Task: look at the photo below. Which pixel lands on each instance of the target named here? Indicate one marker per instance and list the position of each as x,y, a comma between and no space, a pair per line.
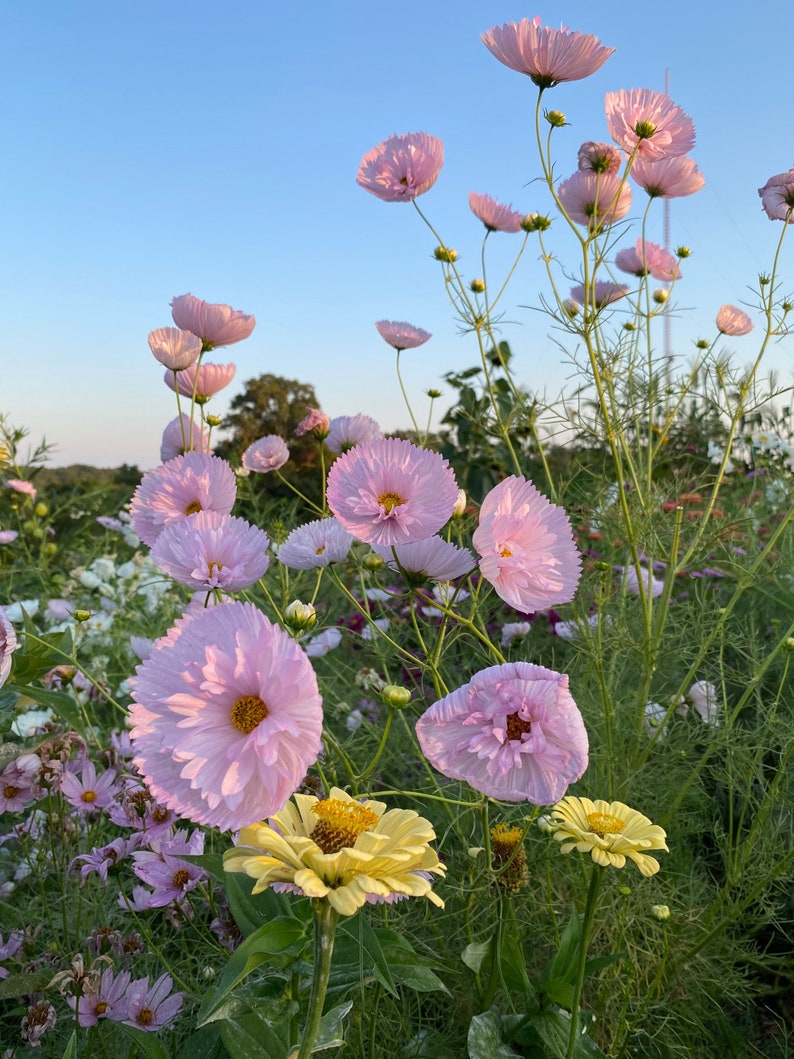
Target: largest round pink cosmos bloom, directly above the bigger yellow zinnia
227,717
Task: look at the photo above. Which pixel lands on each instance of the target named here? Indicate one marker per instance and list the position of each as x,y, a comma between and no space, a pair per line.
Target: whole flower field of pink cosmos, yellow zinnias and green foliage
474,742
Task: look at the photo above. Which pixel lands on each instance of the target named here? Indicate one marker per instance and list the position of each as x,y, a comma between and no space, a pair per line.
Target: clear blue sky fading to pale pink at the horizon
160,148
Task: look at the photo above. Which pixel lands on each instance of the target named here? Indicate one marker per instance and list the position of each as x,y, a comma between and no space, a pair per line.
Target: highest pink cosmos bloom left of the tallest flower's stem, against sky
402,168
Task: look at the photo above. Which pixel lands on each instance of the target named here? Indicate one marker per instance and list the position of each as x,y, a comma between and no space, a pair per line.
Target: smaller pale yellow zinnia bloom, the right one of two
610,832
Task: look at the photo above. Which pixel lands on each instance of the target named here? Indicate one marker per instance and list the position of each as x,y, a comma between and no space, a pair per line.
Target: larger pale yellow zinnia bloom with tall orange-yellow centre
342,850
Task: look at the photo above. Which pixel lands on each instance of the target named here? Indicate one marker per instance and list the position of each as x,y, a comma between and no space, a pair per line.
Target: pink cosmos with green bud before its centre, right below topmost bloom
649,124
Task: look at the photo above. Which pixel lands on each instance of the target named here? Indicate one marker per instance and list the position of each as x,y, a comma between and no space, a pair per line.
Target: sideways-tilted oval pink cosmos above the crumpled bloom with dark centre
527,547
